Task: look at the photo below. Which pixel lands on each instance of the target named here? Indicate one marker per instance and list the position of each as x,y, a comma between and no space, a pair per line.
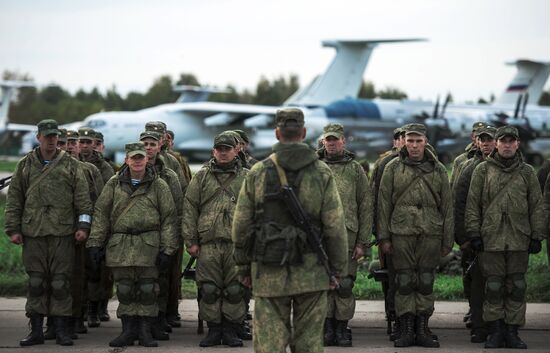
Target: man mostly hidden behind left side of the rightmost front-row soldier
486,144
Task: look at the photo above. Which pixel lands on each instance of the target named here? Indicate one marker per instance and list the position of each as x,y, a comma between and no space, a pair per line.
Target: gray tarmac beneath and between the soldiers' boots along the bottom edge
369,331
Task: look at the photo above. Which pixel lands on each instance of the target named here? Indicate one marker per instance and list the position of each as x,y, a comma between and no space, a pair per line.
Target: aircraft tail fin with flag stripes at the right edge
530,78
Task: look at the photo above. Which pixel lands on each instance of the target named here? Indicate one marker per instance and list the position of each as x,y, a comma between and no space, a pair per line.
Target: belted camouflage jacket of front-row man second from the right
415,199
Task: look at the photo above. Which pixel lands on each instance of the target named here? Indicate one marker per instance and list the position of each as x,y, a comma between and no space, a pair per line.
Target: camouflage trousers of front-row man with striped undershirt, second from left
137,291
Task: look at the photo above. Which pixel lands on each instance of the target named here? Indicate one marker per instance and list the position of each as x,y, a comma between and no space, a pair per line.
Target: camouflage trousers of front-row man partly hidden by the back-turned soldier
341,302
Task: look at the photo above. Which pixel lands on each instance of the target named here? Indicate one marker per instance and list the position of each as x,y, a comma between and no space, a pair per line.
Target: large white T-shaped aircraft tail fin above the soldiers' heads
344,76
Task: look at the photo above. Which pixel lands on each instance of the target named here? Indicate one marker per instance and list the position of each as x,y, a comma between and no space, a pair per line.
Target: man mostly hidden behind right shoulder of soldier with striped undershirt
151,140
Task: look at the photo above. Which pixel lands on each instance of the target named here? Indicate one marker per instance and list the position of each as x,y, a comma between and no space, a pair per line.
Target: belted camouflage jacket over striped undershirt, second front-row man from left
134,223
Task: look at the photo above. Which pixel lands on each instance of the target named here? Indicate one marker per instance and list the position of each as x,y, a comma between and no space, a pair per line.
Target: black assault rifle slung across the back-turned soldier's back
313,238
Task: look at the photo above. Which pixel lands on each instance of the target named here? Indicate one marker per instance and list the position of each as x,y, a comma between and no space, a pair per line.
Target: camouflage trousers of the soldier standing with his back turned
273,330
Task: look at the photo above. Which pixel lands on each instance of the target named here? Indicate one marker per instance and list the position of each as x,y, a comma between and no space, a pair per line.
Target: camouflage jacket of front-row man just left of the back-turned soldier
210,203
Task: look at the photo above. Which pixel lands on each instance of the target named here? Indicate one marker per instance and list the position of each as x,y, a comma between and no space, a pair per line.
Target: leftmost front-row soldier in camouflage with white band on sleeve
48,208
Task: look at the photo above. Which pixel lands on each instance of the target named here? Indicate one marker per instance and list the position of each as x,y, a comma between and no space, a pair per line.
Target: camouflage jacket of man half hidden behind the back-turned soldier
356,196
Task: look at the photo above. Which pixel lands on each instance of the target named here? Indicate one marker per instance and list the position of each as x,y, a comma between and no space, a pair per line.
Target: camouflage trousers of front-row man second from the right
415,259
